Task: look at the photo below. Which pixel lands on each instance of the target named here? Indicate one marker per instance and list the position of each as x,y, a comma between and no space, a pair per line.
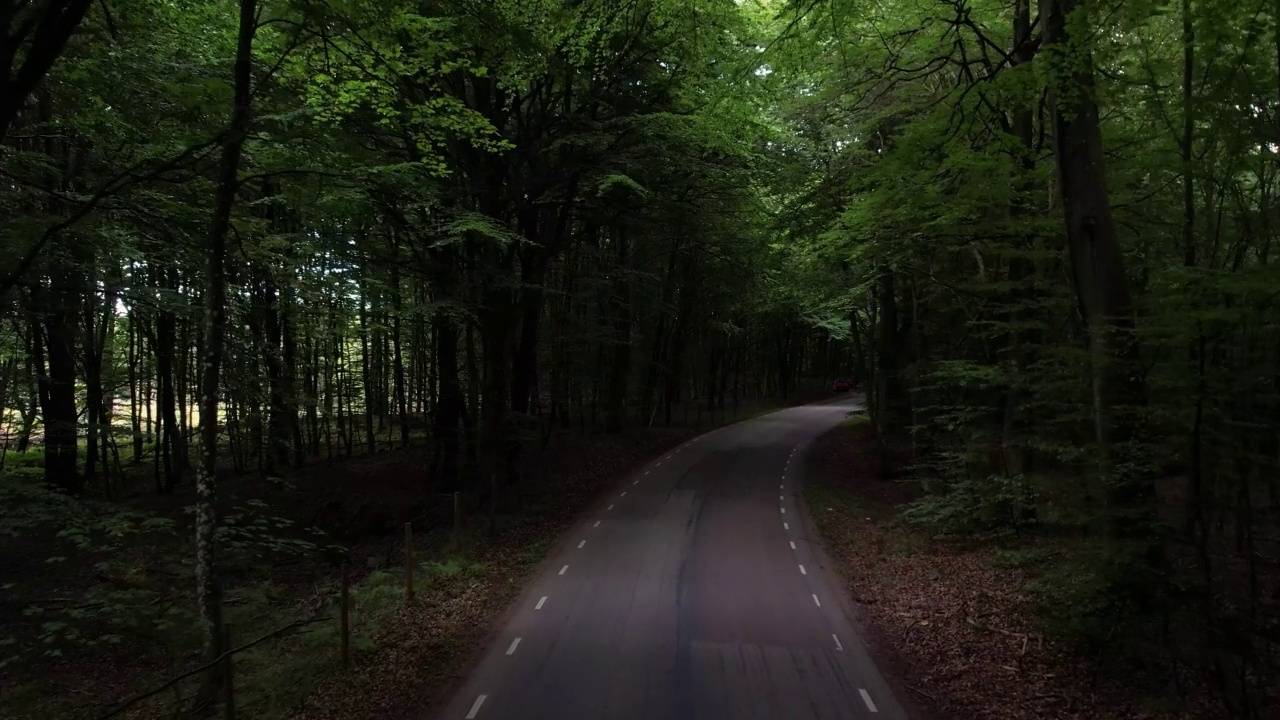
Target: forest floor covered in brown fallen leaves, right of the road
954,626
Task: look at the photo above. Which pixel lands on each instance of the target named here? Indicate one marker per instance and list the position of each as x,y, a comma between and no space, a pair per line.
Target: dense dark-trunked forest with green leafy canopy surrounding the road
249,247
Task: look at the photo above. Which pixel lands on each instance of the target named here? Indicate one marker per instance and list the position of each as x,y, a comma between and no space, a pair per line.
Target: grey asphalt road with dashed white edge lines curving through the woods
692,593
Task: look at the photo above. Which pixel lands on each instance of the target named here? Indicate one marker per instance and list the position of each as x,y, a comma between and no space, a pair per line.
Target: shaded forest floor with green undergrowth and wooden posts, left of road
84,631
